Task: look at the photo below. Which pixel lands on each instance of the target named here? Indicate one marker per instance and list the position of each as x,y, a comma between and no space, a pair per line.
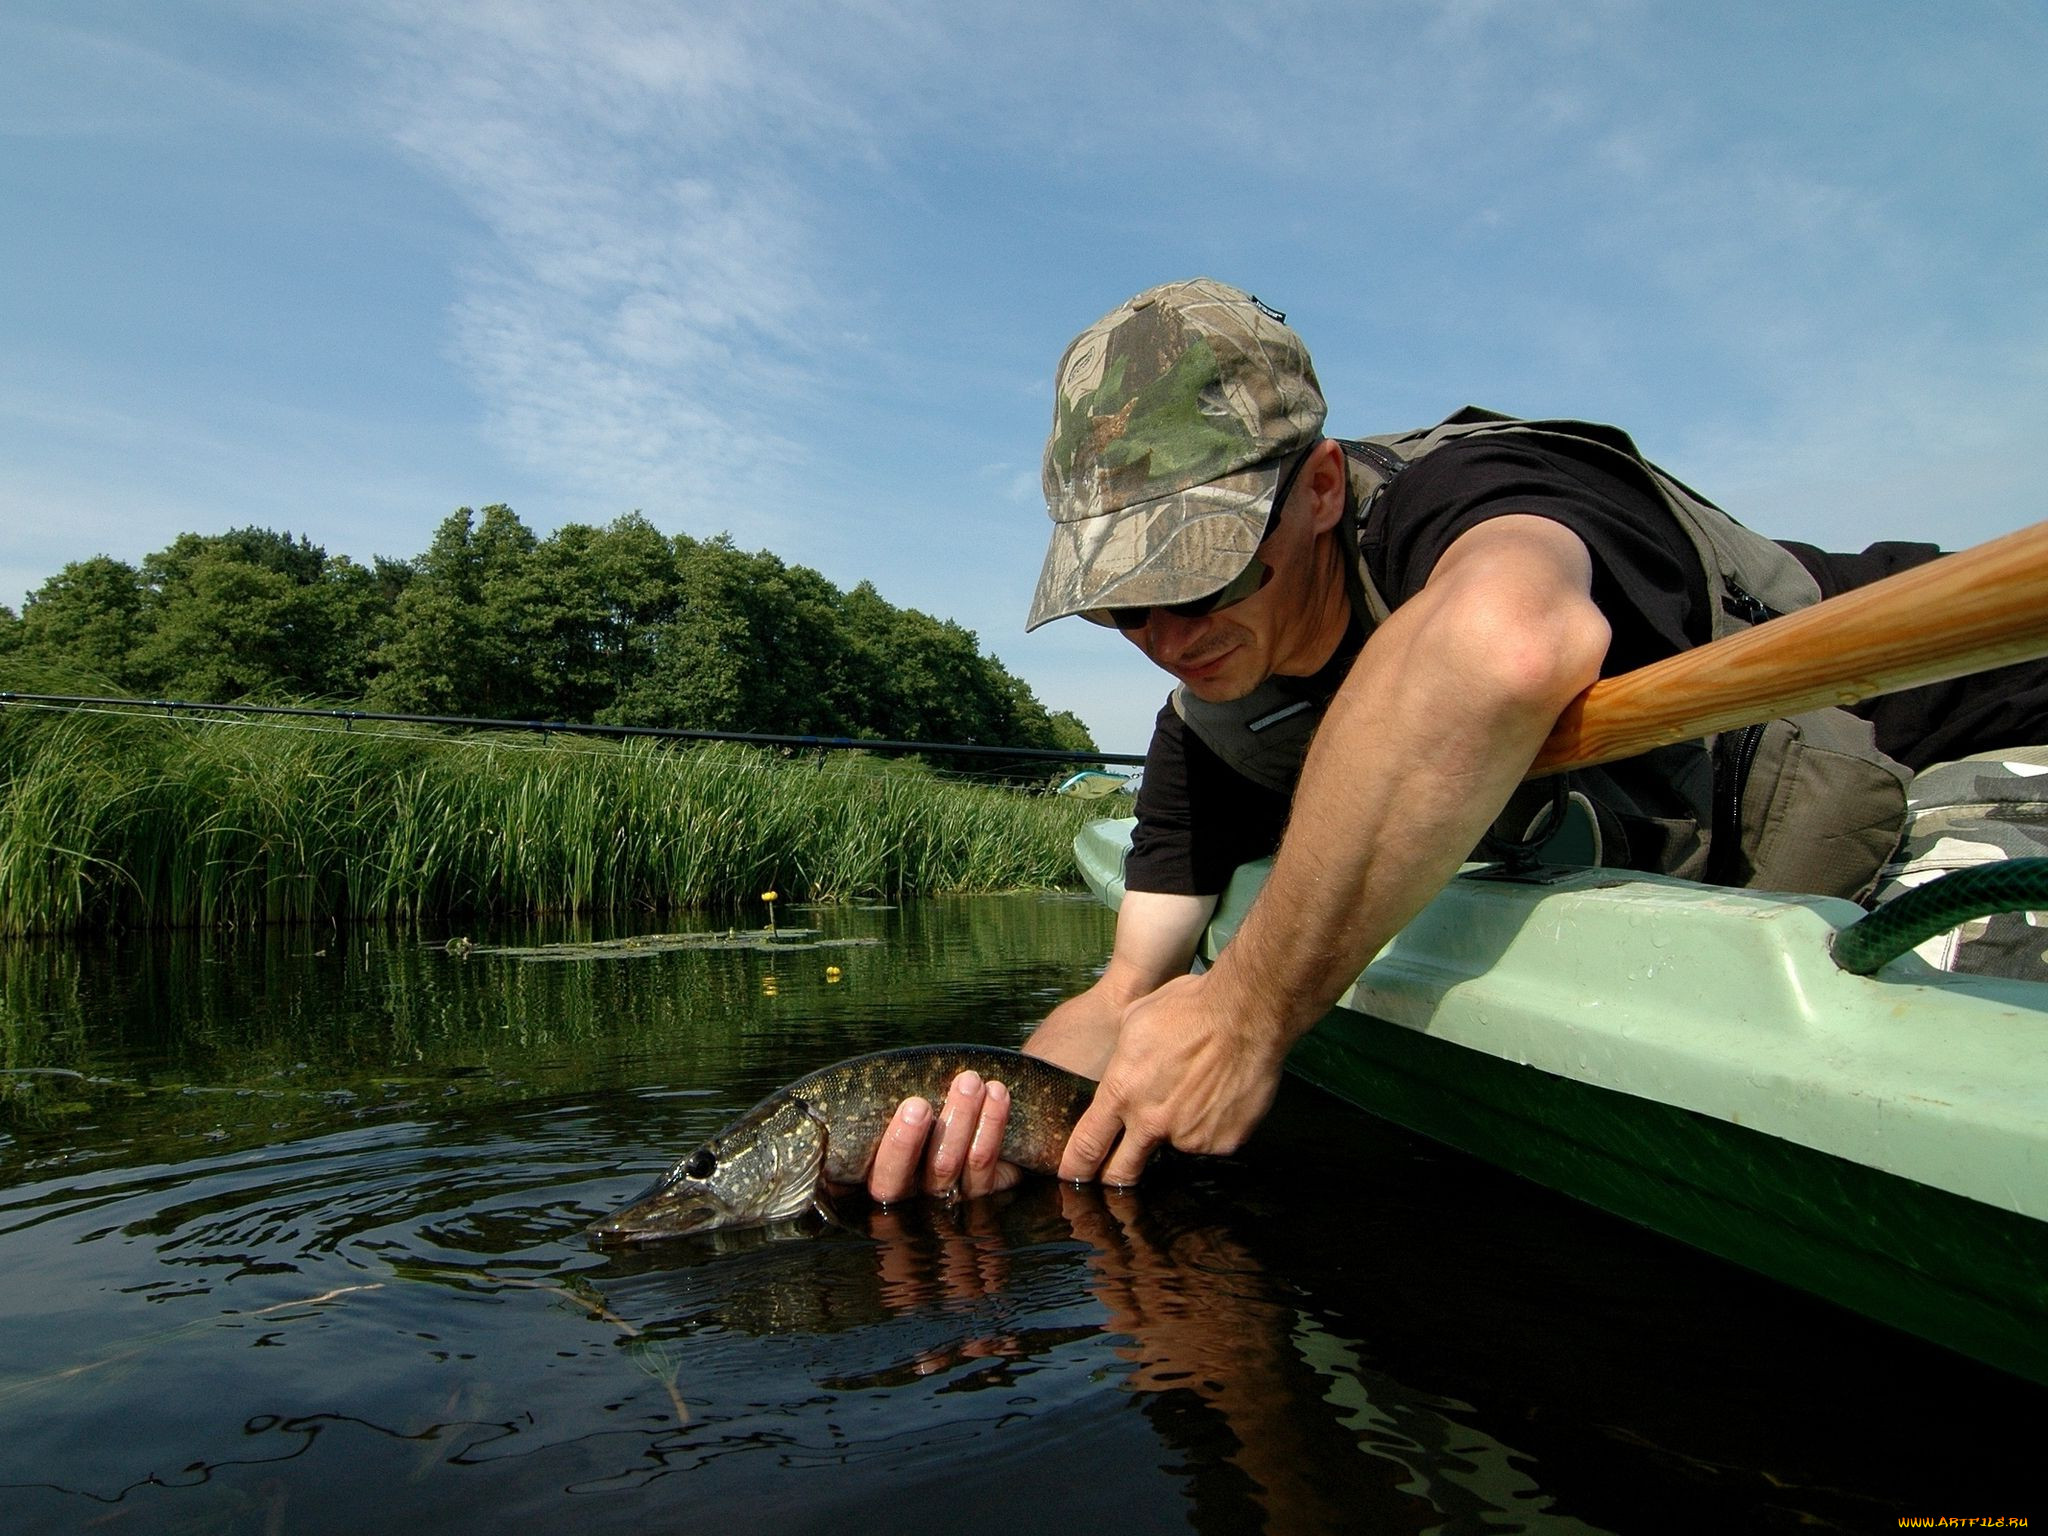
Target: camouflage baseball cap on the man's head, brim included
1172,423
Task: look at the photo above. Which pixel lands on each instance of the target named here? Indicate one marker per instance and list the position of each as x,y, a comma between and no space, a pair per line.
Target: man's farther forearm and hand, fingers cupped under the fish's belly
1156,939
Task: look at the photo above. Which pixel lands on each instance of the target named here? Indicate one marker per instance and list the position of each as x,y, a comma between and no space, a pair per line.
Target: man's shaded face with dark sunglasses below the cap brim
1289,626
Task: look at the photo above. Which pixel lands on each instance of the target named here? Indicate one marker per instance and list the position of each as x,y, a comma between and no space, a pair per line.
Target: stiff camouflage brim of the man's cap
1175,550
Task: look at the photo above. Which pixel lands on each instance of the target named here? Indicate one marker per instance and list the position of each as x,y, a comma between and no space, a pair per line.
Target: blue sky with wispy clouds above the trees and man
802,273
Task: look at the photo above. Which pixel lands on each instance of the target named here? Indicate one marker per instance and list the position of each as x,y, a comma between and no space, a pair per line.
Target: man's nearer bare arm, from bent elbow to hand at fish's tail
1418,753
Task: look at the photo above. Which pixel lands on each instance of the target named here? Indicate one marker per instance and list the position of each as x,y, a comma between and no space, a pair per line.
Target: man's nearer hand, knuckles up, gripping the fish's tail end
1189,1070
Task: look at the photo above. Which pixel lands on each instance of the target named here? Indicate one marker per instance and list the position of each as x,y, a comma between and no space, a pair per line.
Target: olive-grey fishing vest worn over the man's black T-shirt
1801,804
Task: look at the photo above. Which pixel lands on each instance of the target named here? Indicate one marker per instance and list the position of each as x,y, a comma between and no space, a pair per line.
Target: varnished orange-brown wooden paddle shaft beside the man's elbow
1979,609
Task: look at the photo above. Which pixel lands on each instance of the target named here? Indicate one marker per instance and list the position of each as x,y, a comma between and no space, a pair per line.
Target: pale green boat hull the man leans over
1691,1058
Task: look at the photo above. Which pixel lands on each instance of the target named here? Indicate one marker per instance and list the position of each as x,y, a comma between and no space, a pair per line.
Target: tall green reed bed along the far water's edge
136,820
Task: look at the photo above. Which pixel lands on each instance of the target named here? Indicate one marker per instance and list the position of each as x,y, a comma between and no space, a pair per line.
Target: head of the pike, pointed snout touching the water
759,1170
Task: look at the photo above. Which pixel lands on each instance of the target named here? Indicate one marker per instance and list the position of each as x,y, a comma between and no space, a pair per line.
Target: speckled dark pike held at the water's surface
773,1162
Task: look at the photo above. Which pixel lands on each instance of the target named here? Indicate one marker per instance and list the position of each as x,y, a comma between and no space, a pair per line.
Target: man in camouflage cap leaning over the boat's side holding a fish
1371,642
